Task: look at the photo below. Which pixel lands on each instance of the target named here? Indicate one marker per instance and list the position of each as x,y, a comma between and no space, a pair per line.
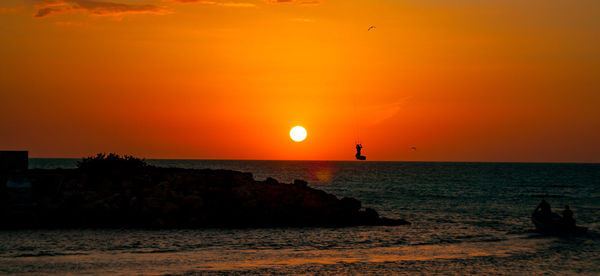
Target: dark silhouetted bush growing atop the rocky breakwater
111,162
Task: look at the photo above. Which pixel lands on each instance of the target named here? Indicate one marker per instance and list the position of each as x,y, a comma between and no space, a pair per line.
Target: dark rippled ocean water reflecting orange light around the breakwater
466,218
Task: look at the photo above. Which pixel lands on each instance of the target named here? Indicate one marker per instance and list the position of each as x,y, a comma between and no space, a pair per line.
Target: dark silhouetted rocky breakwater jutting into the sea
143,196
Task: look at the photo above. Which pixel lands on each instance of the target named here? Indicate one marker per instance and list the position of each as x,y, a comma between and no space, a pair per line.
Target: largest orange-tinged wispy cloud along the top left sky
96,8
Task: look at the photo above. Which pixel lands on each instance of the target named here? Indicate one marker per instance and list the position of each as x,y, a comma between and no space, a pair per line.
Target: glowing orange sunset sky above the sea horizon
461,80
